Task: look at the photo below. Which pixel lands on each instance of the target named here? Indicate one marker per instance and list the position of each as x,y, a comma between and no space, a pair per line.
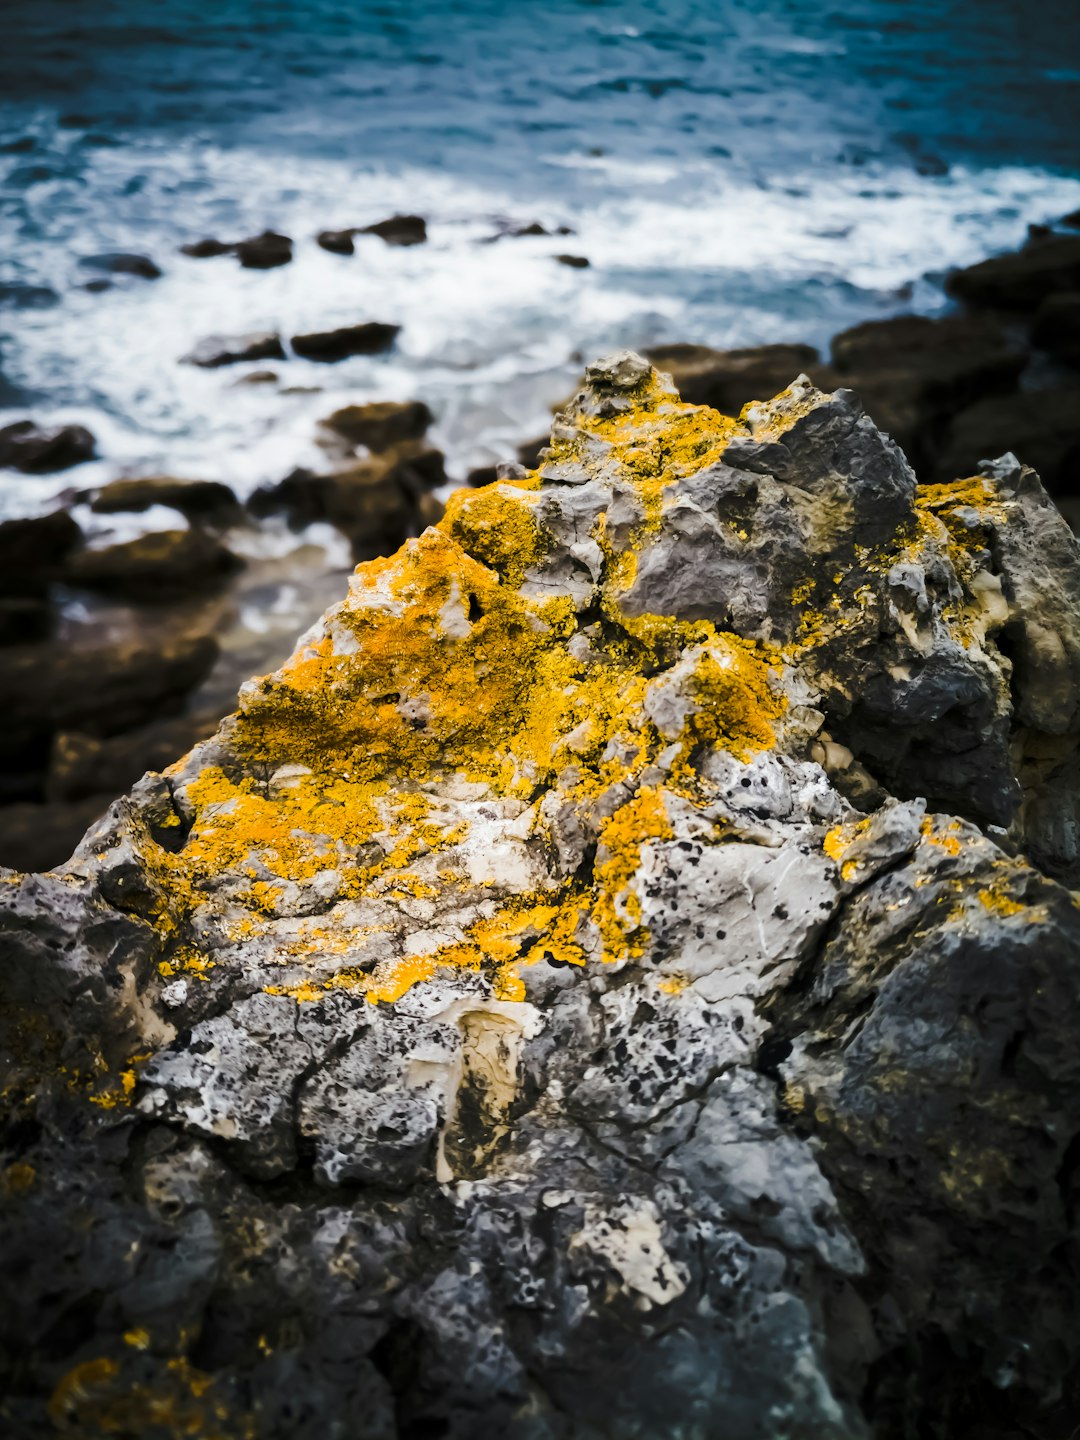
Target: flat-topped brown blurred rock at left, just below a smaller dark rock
161,567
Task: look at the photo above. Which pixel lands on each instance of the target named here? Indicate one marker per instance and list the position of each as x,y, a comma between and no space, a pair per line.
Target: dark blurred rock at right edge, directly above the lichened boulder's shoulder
1043,427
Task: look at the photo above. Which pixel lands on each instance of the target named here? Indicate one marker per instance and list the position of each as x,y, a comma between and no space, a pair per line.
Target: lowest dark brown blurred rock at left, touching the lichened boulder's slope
87,765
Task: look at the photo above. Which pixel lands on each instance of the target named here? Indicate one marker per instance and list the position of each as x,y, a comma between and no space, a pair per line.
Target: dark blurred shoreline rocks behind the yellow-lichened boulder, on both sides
1002,374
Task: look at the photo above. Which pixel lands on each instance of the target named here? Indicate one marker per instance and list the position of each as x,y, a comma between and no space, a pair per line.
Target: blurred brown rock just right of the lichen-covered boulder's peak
731,379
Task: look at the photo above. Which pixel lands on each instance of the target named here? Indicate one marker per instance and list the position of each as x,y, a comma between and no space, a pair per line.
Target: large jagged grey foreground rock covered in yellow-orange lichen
616,981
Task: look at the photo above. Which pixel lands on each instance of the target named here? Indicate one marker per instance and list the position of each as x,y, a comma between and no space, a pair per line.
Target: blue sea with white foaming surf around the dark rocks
735,174
